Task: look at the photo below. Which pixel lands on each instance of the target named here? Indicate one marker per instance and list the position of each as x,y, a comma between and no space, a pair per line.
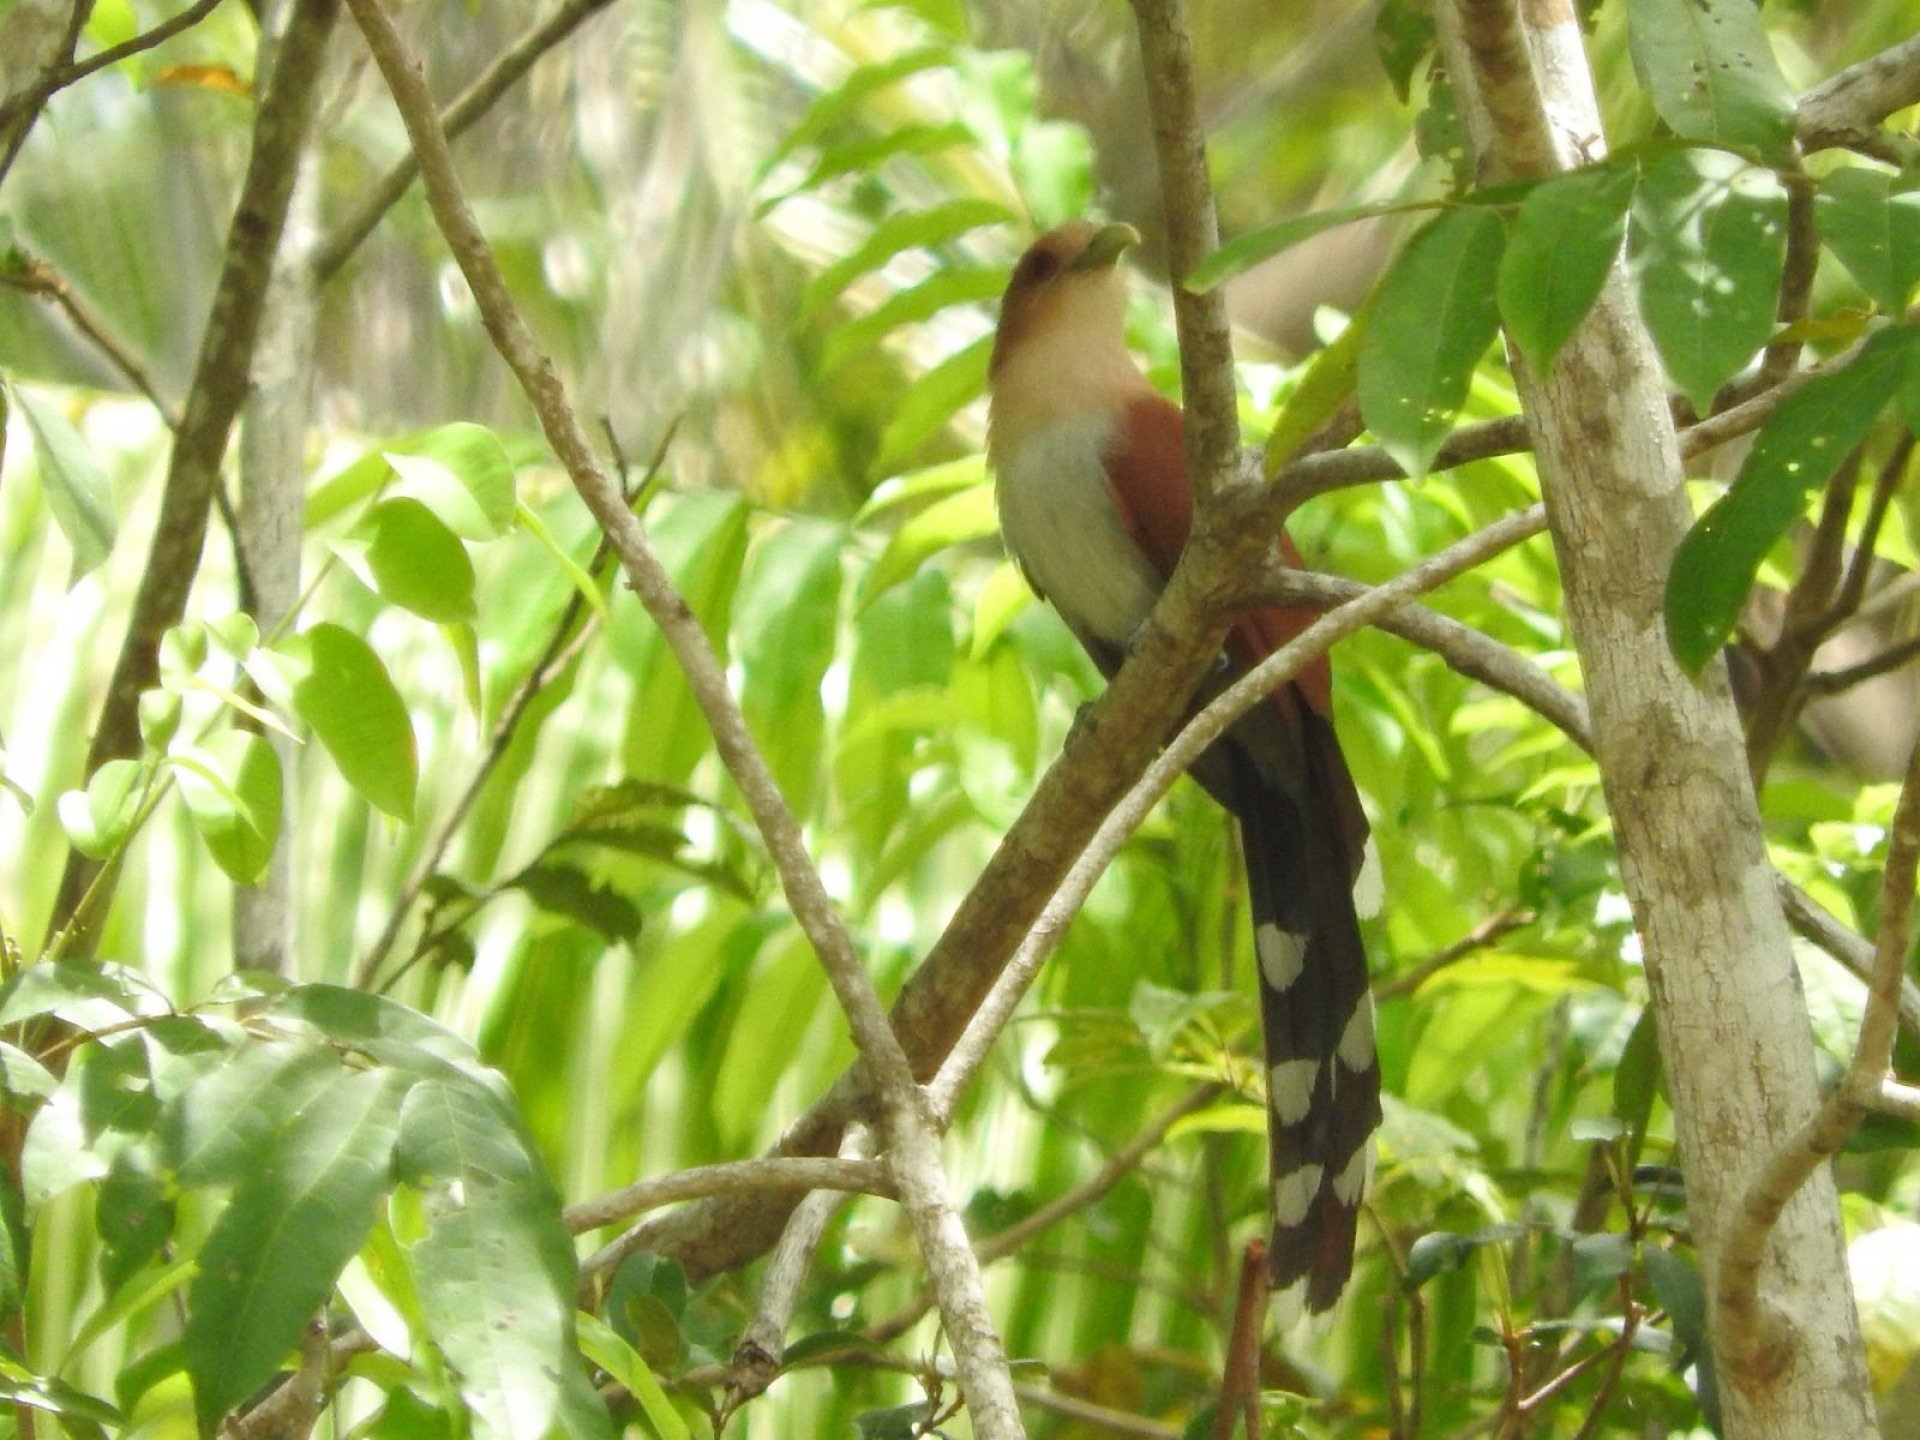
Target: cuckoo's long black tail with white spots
1324,1078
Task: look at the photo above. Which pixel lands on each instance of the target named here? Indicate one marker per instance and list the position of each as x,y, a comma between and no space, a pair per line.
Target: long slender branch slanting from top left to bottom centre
911,1141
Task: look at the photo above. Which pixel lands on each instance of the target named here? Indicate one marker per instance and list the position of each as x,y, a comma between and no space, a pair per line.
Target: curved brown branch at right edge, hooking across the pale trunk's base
1764,1328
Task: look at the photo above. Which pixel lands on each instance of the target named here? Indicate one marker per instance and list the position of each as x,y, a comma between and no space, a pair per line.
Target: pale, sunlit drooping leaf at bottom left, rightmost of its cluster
494,1270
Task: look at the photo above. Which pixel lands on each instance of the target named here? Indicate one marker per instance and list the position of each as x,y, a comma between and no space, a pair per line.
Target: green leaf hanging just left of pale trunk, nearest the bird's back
1433,320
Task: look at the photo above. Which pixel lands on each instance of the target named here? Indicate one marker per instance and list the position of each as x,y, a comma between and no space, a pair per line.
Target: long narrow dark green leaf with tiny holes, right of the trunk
1792,458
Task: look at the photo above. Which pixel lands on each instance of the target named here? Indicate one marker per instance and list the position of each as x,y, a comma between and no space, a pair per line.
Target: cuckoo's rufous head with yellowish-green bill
1068,287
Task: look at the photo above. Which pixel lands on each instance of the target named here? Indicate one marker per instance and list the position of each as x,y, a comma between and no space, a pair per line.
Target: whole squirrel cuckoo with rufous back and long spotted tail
1095,508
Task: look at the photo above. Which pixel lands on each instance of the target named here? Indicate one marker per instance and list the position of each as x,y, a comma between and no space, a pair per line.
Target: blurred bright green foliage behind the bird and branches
700,204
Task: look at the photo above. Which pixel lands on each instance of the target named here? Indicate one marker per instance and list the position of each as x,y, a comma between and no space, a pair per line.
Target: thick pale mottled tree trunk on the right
1721,972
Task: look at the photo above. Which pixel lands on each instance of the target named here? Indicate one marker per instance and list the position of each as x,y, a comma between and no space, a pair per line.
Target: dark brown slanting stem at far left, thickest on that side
212,400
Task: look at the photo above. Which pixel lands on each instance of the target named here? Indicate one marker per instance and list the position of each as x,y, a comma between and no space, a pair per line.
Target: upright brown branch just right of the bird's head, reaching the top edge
1193,235
